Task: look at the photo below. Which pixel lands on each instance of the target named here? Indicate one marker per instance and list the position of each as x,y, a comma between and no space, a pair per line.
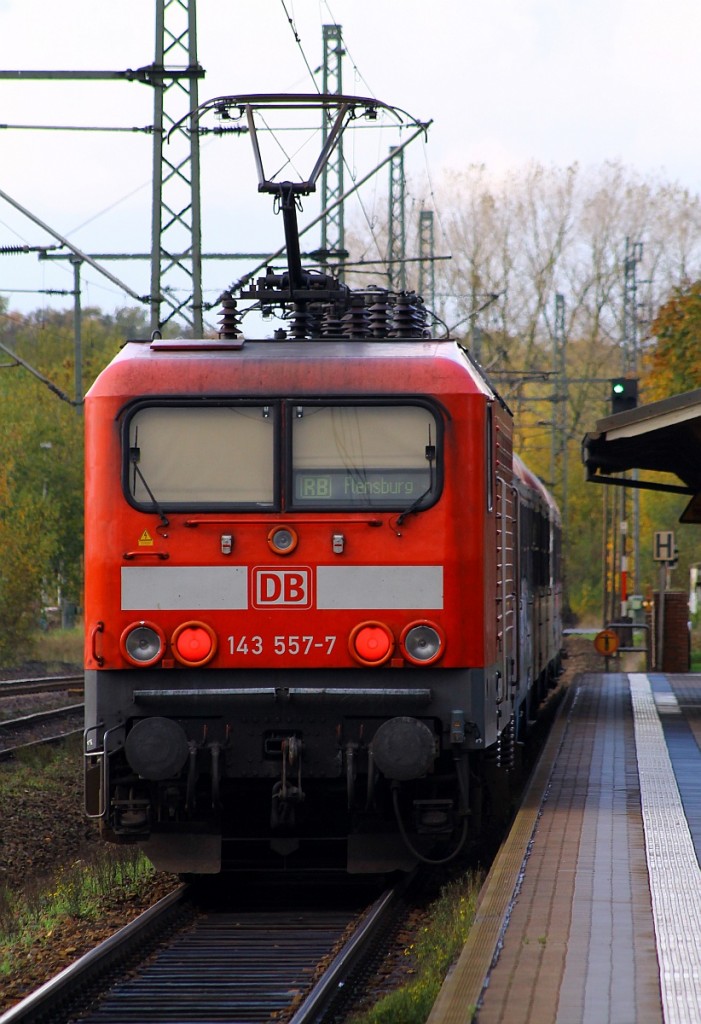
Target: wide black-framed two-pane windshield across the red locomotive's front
342,456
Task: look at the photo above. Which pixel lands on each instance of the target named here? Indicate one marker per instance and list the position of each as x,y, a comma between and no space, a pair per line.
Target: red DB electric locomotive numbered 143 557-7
322,593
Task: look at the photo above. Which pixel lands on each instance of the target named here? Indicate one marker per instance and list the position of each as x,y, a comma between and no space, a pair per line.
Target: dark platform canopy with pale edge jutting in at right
664,437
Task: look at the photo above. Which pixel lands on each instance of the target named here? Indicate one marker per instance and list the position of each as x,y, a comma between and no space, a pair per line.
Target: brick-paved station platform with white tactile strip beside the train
592,912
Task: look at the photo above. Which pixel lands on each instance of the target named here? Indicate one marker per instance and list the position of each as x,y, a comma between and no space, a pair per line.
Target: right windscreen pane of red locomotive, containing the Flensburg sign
364,457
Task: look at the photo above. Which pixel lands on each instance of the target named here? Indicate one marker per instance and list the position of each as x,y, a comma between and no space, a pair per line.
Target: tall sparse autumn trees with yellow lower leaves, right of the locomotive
517,240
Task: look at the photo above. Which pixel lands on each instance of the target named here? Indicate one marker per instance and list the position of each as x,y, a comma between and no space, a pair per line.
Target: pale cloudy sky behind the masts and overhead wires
504,83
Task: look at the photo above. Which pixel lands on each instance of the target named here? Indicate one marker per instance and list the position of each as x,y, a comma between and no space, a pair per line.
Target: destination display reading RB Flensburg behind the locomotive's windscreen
373,488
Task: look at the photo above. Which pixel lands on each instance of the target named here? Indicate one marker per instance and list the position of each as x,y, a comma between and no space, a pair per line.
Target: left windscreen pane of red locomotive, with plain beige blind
194,457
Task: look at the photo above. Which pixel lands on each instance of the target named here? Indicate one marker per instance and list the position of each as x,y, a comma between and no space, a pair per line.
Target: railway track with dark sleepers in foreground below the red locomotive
186,961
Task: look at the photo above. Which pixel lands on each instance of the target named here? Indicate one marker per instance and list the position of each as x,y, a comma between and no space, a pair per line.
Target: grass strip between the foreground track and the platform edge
436,946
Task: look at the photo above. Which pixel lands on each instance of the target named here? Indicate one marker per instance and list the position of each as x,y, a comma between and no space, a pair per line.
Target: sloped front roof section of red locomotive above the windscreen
234,366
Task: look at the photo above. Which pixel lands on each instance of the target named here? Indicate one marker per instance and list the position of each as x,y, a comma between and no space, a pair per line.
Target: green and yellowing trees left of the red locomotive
41,470
